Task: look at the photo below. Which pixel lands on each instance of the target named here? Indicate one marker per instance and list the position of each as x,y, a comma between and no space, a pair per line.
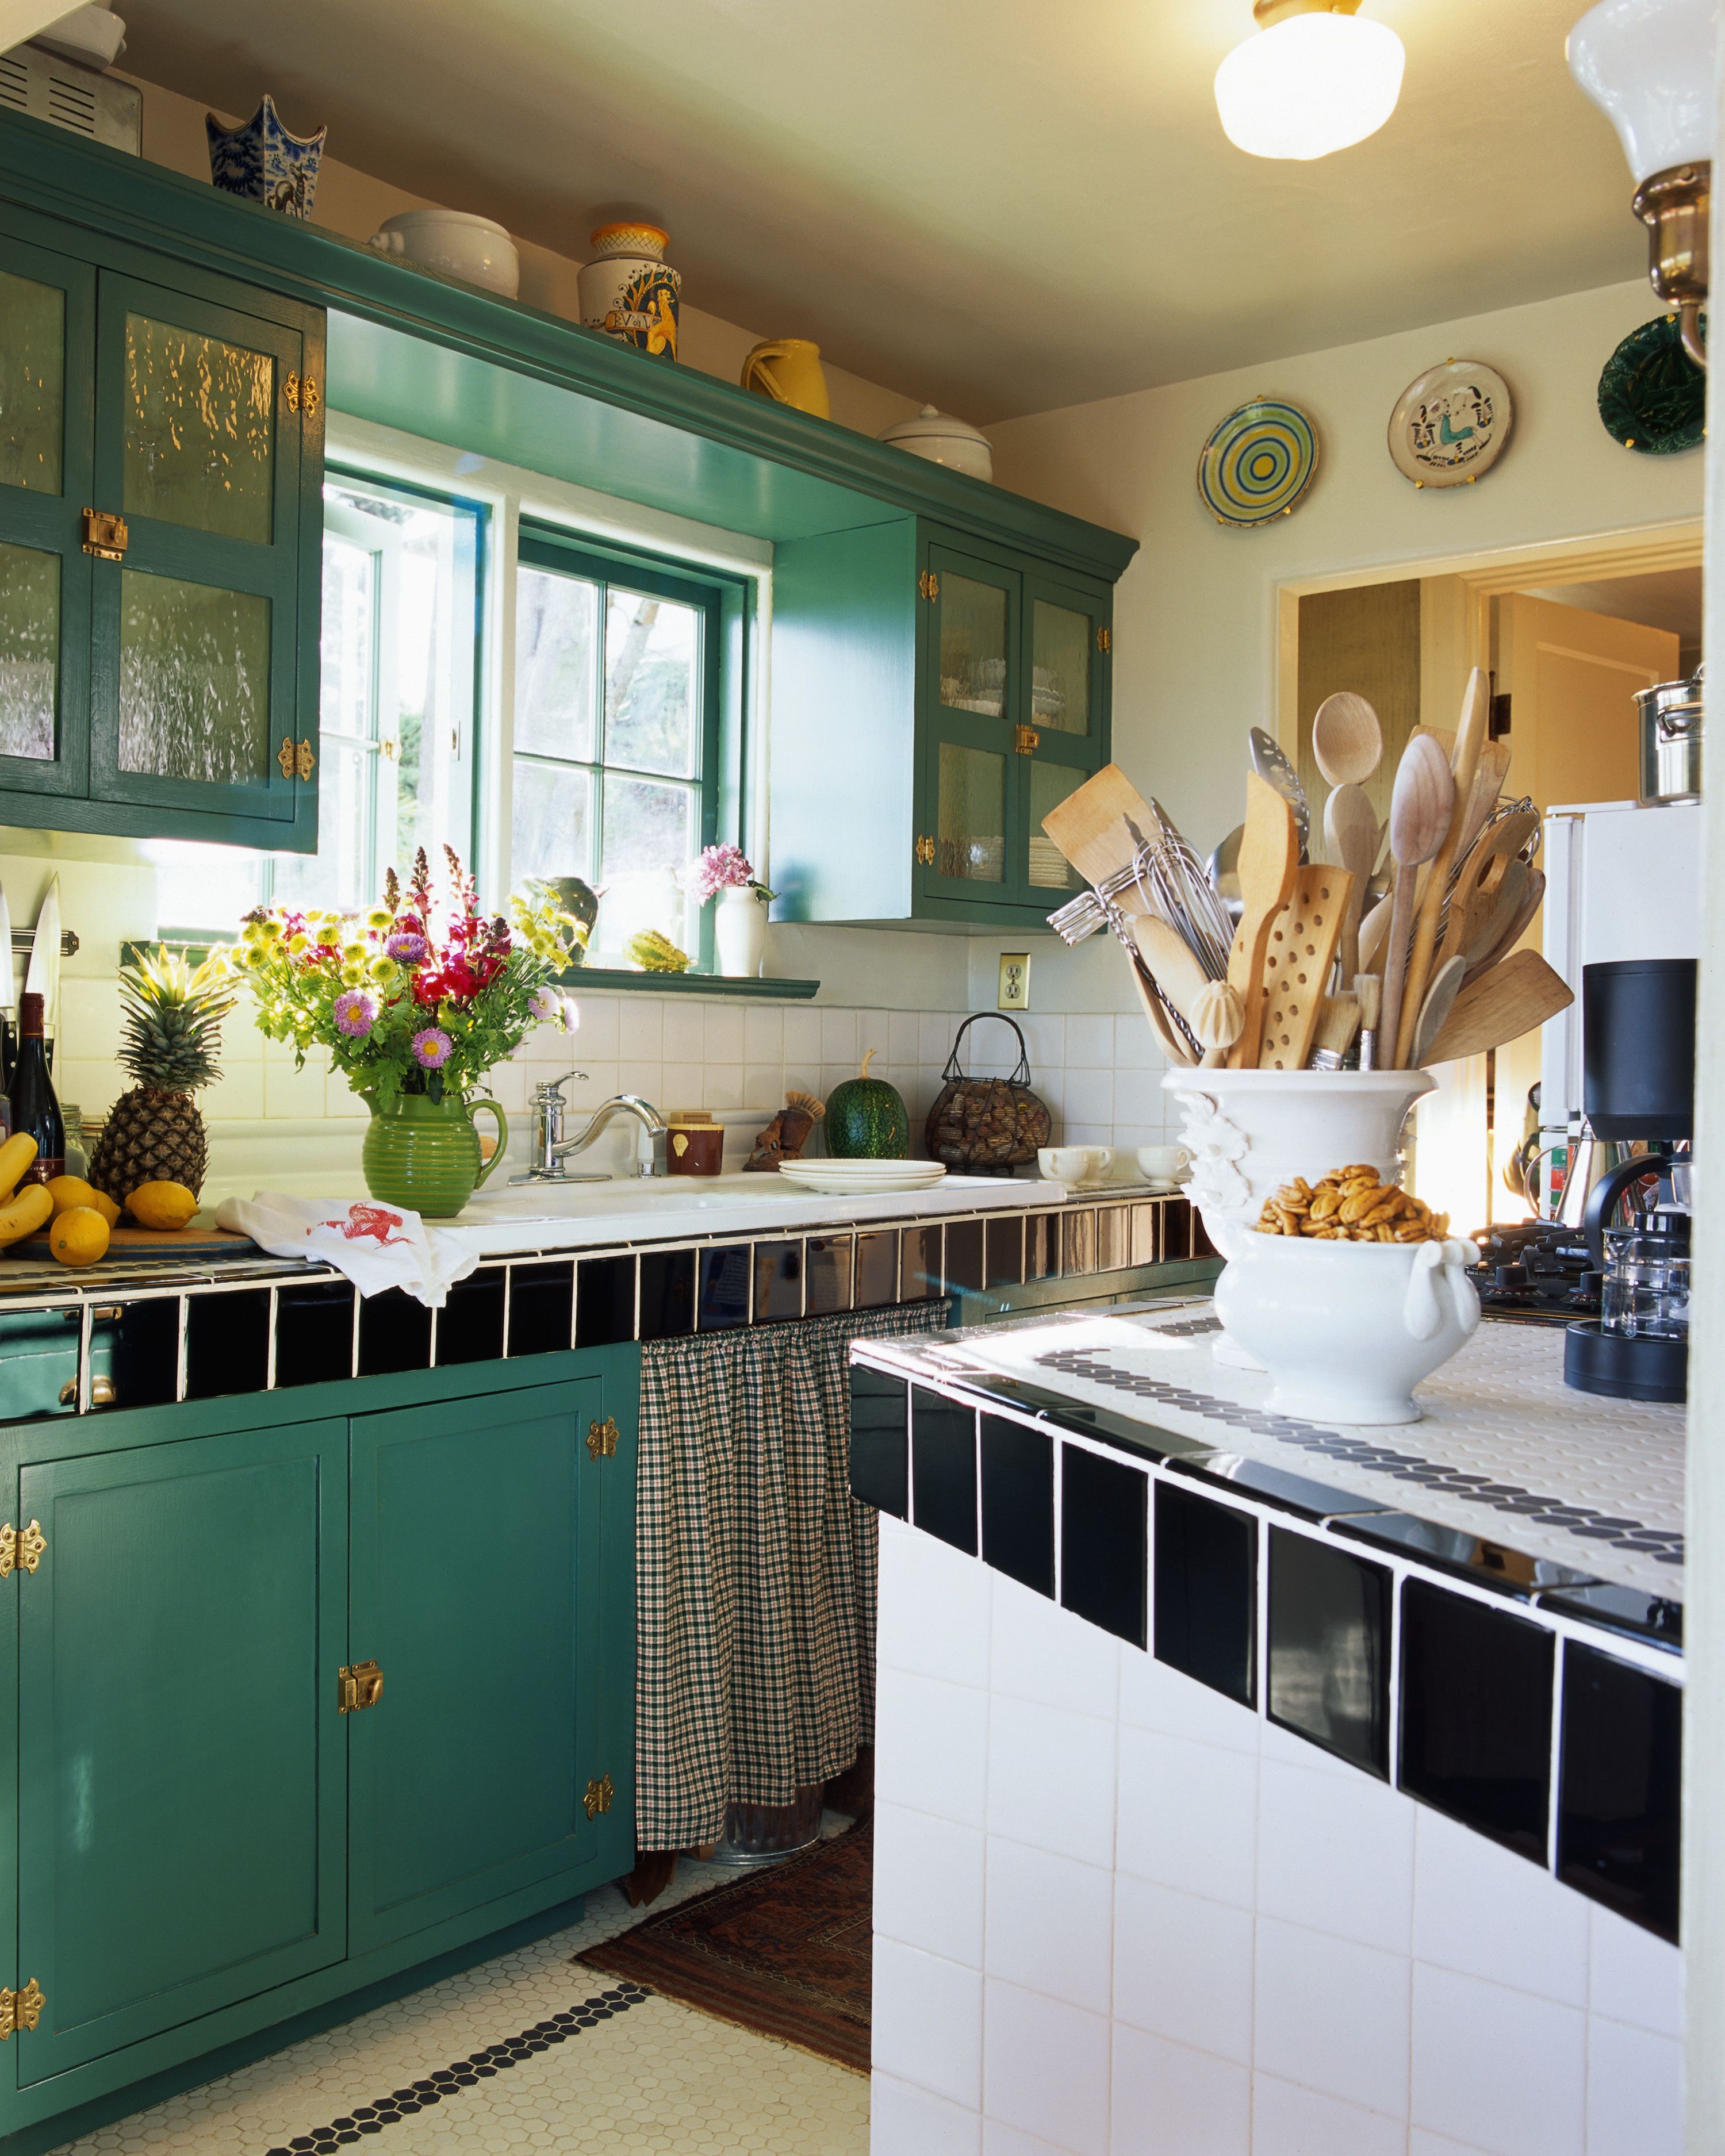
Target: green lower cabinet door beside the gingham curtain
475,1586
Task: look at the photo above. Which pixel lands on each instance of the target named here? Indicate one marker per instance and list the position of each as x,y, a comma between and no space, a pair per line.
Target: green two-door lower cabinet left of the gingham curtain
309,1691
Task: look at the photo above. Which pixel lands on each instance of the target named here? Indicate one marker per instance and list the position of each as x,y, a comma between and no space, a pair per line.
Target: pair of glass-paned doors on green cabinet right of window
1015,695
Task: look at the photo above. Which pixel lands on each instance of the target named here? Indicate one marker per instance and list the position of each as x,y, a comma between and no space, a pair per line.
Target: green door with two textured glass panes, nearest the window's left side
197,637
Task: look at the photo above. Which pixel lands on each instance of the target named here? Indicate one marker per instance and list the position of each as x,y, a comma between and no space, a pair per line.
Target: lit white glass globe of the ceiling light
1310,85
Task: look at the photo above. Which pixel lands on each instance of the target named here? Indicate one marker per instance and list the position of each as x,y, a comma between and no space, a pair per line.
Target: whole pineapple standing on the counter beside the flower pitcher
169,1047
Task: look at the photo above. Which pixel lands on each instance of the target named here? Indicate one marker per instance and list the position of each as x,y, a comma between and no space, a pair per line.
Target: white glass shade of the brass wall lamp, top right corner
1651,68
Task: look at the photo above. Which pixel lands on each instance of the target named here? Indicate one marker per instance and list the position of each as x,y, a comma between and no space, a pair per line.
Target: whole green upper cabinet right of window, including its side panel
943,695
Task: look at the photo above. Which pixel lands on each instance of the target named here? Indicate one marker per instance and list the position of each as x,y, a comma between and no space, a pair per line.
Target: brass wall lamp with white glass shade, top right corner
1651,68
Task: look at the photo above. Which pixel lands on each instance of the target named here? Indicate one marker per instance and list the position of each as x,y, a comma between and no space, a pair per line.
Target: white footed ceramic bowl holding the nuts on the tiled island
1349,1329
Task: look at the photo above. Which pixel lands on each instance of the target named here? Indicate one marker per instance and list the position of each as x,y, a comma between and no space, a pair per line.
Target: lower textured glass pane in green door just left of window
195,682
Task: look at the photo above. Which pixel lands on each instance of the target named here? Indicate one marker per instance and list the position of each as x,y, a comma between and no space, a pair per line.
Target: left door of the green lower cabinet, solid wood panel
182,1767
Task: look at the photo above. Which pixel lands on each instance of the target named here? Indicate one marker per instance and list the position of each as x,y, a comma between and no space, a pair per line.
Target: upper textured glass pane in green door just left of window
199,430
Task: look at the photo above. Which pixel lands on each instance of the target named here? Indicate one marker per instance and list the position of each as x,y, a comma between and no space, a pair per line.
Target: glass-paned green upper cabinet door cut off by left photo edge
46,331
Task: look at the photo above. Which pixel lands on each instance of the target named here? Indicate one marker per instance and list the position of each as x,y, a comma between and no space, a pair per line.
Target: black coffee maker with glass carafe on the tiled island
1638,1075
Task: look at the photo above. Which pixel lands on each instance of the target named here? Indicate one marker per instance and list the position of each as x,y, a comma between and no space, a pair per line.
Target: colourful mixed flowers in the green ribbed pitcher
422,995
